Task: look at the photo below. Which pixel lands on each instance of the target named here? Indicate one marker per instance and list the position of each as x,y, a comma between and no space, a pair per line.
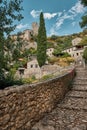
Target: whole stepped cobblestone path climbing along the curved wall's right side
71,113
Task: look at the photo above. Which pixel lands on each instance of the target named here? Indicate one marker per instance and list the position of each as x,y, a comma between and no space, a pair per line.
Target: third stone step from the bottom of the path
77,94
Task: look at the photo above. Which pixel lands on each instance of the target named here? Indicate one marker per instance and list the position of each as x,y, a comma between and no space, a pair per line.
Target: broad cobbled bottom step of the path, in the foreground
63,119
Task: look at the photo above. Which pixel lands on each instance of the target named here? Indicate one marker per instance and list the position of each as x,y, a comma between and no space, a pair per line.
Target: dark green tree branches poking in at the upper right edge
83,23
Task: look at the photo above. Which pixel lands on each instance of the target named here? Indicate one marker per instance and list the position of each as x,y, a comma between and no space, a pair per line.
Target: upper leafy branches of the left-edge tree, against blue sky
9,11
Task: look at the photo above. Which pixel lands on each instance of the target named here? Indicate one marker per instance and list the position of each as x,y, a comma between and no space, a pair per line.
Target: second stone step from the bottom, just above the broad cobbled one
74,103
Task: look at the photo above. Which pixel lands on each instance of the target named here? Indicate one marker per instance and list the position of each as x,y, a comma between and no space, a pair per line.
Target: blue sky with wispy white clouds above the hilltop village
61,17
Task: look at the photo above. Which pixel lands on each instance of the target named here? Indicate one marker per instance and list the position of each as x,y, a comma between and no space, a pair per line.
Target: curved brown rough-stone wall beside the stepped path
22,106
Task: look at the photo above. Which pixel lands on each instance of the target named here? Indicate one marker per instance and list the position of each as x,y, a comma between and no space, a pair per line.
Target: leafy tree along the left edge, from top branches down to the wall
9,12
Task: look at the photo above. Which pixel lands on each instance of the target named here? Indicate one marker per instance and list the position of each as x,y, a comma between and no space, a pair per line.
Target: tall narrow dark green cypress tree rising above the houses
41,42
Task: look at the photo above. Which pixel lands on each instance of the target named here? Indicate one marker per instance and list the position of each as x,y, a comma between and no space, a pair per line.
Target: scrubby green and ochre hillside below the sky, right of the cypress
64,42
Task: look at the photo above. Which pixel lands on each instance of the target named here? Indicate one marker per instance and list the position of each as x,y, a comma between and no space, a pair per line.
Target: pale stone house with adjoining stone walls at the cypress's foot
33,69
